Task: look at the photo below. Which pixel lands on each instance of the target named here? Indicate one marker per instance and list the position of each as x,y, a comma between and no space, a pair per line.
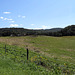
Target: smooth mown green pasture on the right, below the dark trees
62,48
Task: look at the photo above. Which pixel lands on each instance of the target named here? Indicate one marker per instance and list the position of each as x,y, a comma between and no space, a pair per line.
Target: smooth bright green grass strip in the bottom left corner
8,67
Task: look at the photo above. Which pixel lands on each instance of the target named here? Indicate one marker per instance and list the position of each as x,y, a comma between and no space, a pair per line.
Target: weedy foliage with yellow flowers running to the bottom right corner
53,66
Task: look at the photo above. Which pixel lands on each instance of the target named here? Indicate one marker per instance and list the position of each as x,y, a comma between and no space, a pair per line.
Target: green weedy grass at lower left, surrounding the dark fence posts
14,62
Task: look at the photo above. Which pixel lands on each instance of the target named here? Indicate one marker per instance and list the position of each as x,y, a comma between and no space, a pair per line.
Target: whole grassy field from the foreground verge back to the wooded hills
47,55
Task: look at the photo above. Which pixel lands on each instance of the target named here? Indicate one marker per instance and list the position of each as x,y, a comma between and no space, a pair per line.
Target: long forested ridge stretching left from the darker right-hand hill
23,32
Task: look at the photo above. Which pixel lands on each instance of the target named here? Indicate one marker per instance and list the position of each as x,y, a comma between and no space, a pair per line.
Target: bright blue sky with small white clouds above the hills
37,14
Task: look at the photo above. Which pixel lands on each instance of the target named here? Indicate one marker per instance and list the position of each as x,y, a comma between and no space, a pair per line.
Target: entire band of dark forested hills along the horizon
67,31
